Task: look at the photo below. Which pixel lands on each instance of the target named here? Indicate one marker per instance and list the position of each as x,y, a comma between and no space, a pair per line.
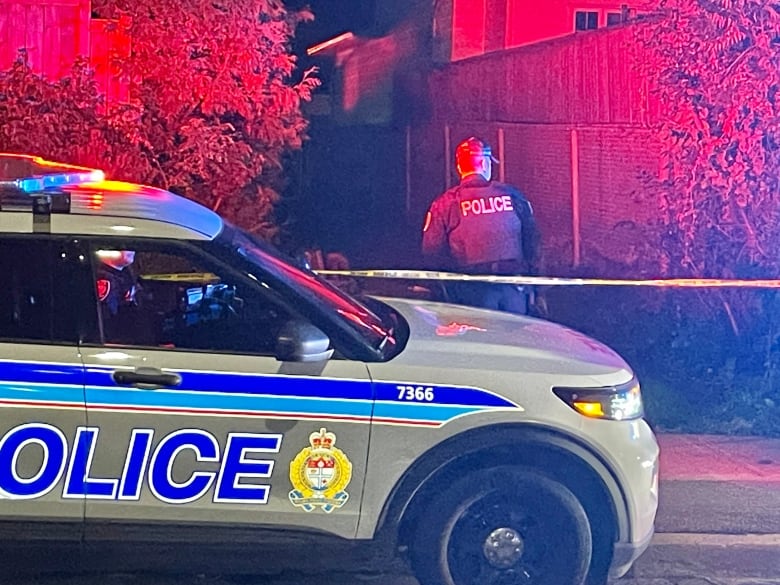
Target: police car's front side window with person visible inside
169,297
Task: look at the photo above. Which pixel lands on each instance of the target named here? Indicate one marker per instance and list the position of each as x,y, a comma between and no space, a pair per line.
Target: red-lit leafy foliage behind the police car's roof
213,105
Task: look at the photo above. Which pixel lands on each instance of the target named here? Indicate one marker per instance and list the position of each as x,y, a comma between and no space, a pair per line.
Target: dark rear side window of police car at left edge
39,280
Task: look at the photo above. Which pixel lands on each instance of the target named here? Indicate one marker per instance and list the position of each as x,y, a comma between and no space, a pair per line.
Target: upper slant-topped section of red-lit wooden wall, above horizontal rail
590,78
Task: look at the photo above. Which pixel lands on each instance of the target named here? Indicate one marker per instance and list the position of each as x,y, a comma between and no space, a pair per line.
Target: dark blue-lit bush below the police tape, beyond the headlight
704,366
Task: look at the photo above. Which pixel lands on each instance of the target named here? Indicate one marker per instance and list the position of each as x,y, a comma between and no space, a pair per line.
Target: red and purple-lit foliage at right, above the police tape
715,65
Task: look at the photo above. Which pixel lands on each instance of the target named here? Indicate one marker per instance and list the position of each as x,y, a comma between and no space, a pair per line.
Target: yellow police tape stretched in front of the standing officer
557,281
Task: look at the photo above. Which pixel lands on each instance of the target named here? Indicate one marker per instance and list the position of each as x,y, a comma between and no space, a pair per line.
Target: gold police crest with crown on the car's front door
320,474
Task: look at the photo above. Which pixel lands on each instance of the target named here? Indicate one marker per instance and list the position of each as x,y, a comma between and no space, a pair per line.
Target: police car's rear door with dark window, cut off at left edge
41,386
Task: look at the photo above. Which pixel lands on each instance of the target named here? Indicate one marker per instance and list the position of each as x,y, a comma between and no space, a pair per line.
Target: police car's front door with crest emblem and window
193,420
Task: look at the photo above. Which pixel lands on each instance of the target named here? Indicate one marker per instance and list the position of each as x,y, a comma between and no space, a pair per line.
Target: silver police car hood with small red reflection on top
495,340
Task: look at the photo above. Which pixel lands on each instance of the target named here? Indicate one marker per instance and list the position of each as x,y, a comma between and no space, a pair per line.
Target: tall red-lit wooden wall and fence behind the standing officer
571,121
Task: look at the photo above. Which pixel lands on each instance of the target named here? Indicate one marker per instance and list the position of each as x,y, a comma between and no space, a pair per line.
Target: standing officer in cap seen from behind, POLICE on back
482,227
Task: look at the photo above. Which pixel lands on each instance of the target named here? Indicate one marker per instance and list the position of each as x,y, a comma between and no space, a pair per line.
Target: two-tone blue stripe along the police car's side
210,392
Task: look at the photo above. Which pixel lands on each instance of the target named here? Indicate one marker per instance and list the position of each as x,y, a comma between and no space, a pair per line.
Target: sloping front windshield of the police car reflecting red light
356,315
